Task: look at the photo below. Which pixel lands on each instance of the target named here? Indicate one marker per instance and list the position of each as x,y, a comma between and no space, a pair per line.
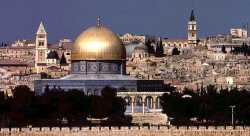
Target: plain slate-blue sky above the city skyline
19,19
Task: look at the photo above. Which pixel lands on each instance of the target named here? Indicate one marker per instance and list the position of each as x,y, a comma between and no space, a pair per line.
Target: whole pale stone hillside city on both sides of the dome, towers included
201,61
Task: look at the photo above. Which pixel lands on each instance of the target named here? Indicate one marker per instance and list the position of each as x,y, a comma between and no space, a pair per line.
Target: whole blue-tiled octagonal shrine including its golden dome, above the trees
98,59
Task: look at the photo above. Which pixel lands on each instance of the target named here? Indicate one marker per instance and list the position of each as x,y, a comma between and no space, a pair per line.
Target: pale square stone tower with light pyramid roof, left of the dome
41,48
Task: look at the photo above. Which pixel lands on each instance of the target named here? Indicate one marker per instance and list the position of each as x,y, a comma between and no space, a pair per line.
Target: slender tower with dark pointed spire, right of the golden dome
192,30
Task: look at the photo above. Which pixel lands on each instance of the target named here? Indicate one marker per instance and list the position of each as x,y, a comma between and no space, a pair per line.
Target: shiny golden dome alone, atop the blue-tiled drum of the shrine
98,43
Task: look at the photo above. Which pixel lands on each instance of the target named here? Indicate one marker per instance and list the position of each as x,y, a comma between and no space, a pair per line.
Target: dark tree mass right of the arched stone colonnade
209,106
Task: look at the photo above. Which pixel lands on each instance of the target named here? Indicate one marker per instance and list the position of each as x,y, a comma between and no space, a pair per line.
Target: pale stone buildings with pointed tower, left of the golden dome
24,61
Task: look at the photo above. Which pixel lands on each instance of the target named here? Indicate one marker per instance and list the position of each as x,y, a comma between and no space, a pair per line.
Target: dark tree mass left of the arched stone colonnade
57,107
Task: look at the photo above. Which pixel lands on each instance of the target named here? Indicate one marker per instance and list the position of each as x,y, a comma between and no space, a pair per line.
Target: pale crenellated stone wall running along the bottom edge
128,131
